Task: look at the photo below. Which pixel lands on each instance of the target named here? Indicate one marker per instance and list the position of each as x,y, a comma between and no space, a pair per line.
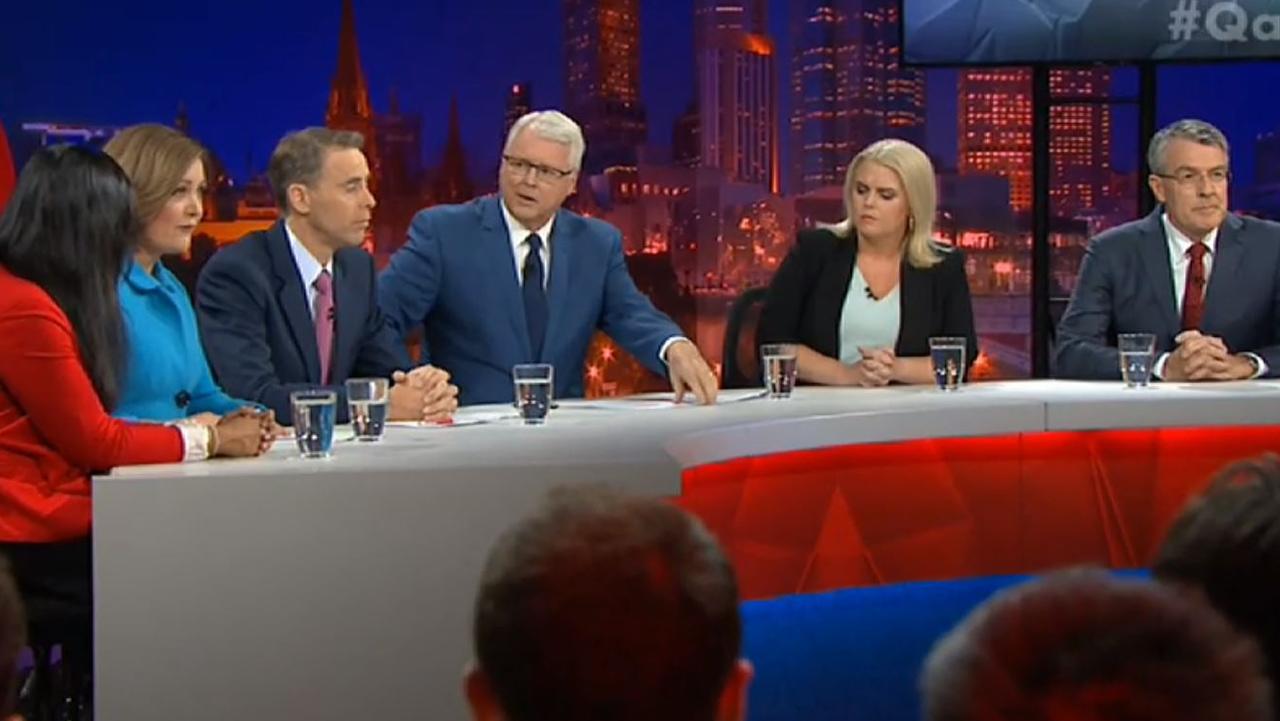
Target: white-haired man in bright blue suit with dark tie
516,279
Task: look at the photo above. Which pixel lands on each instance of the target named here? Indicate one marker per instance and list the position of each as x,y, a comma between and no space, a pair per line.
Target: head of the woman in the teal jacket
167,170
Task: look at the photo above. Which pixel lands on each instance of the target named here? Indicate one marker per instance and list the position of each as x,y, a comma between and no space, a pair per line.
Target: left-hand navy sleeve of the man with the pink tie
235,339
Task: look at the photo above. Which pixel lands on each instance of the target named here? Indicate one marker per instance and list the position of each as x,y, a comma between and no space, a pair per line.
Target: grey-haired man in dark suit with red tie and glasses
1204,281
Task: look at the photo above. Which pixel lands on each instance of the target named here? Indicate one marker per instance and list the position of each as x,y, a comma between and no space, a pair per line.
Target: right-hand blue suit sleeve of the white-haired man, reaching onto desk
629,317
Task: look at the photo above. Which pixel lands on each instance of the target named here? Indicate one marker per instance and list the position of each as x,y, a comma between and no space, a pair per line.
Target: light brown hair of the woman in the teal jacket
156,159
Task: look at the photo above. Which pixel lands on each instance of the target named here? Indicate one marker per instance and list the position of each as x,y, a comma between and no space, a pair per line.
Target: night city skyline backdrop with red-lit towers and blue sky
716,130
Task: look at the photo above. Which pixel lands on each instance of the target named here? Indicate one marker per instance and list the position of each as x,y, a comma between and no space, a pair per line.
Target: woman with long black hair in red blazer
65,238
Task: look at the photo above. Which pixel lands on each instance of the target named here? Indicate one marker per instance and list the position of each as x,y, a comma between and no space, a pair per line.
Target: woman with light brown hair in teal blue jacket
167,375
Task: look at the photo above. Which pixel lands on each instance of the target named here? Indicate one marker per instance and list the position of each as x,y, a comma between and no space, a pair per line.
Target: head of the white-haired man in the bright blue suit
540,166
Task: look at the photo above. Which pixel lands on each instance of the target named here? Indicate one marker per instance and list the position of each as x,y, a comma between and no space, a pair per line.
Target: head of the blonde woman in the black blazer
890,200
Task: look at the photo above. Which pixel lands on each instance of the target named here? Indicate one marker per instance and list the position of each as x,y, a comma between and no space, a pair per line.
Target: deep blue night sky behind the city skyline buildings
246,74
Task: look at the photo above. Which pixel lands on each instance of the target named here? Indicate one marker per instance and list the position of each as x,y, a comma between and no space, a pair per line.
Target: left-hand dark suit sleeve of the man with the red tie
1082,335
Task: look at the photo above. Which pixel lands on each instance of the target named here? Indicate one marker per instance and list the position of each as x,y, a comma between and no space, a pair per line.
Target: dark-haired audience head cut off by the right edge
1227,544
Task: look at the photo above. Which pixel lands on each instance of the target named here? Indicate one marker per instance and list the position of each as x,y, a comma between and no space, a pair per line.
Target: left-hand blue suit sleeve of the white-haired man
409,288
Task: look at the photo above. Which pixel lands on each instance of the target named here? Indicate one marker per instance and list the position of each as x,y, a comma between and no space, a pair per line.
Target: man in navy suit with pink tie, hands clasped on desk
295,307
